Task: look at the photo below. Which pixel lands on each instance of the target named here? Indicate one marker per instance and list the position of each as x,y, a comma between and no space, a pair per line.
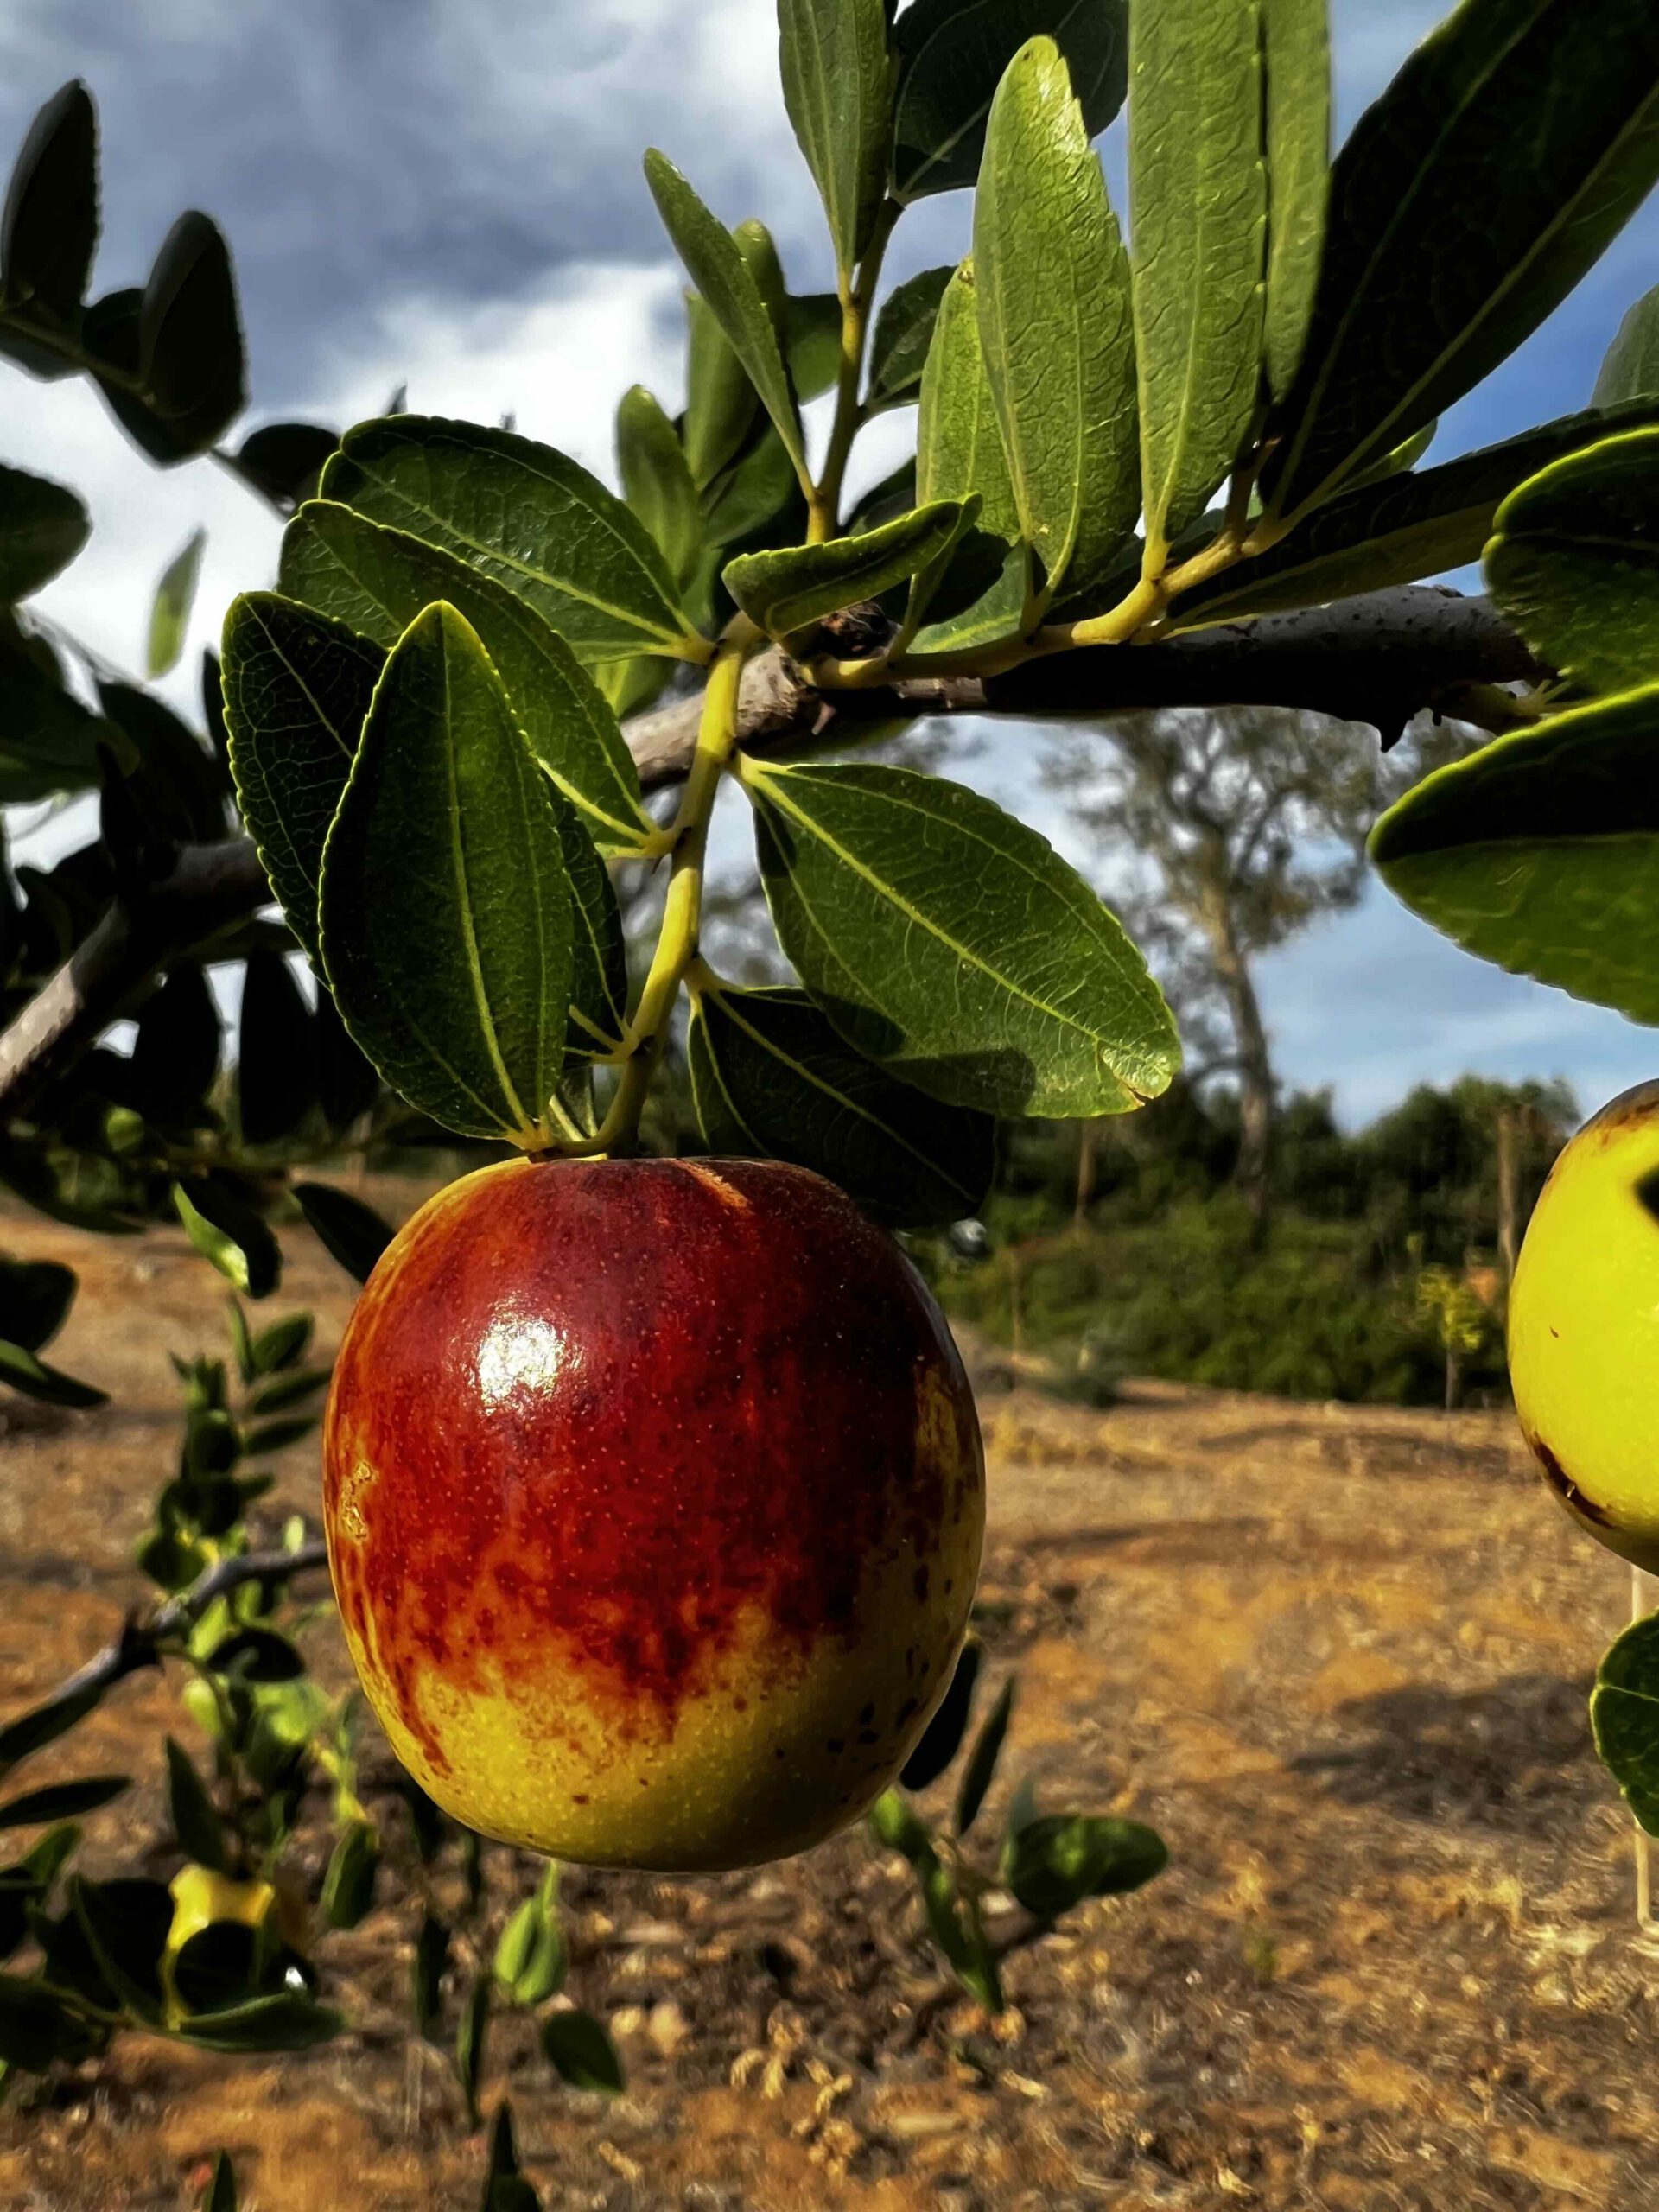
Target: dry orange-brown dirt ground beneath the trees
1337,1656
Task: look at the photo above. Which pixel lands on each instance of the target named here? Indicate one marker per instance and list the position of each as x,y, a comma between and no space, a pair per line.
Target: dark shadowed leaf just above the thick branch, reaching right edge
1395,530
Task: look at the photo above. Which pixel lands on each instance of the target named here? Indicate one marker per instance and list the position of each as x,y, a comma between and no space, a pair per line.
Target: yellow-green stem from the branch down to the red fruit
685,906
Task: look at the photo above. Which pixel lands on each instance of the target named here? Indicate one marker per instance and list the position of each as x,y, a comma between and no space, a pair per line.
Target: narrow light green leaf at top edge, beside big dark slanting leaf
1297,63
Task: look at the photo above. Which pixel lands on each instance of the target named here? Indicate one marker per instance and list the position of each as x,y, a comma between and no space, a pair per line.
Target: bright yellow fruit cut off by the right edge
1585,1328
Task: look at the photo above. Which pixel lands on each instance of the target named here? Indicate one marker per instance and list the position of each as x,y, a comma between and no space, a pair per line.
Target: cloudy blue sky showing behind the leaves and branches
450,194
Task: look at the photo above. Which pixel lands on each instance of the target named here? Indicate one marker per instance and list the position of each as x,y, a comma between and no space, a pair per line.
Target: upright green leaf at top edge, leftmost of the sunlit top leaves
839,92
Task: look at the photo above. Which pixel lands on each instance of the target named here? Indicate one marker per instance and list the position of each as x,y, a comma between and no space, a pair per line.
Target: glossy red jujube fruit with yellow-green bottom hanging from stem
656,1503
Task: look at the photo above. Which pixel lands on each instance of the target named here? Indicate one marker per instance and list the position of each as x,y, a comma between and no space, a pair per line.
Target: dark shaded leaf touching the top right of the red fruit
773,1081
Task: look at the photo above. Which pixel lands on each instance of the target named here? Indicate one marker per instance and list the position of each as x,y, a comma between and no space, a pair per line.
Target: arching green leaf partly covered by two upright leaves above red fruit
382,578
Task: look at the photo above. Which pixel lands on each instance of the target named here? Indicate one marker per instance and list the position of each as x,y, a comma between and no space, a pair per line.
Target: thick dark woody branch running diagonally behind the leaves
1379,658
